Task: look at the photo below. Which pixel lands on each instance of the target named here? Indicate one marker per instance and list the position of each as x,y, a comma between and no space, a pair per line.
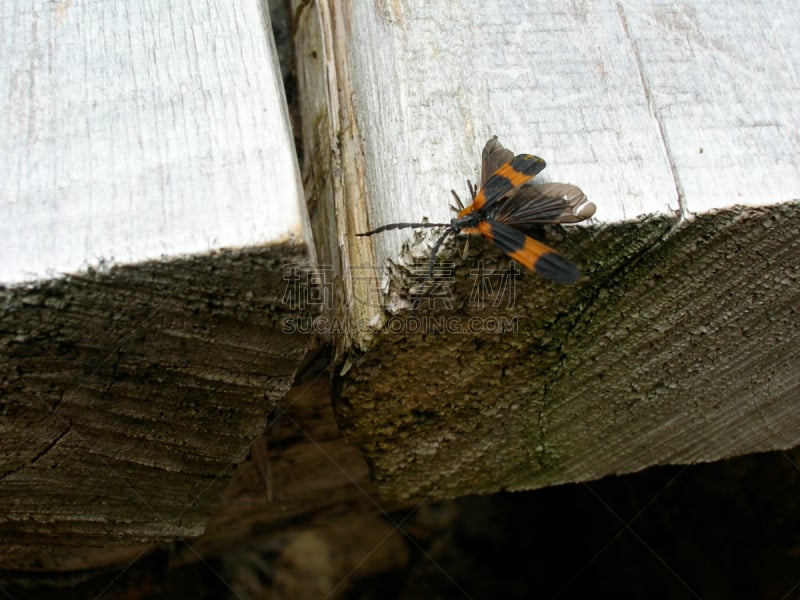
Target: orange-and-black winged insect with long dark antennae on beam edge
507,206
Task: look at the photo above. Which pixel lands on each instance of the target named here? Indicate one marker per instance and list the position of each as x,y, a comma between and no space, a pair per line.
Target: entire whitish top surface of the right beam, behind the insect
619,98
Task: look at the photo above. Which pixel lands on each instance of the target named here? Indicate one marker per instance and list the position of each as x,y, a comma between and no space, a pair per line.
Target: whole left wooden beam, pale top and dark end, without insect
151,204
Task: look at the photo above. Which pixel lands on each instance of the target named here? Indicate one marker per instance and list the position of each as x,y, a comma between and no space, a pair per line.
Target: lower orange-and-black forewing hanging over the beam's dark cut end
532,254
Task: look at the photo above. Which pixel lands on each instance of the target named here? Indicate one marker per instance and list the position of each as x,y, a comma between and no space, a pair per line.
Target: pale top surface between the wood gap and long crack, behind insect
553,79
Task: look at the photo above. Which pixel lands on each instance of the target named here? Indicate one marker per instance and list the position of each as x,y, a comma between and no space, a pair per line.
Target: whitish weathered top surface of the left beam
134,131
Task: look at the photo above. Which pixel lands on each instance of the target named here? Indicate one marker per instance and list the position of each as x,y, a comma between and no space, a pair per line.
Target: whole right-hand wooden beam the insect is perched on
679,343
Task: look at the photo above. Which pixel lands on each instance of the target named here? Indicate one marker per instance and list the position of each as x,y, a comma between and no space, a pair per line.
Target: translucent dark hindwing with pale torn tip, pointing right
546,203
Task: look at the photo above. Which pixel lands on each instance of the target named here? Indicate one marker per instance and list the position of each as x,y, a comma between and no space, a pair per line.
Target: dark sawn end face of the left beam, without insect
129,397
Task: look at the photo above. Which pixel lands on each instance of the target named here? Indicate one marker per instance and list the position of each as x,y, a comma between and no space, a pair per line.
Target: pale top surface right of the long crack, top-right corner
724,81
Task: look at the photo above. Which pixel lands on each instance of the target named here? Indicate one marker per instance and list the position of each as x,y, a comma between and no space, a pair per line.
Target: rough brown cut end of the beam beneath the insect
657,356
